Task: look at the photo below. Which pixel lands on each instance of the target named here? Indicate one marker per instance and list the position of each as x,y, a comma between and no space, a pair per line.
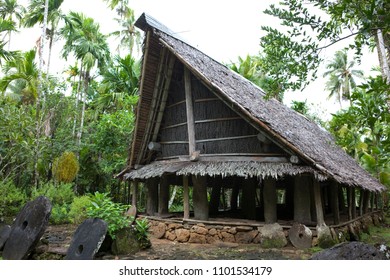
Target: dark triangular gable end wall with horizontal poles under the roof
218,131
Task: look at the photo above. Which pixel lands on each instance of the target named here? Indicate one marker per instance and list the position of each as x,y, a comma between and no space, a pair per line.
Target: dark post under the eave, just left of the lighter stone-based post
249,198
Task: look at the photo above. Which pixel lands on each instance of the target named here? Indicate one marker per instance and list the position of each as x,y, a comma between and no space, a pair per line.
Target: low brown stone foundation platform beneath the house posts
271,235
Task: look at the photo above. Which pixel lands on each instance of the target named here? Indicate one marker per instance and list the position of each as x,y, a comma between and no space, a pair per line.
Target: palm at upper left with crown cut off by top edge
36,14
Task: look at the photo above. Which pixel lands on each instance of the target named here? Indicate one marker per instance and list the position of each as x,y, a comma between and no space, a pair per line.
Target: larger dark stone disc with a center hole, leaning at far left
28,228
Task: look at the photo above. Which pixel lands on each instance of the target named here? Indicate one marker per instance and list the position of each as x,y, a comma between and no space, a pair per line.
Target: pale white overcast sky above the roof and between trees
223,30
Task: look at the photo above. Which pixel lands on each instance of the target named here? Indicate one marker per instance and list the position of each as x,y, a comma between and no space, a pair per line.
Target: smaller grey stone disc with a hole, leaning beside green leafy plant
87,240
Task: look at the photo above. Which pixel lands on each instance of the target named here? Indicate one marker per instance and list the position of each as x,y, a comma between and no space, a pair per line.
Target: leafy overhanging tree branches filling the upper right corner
292,56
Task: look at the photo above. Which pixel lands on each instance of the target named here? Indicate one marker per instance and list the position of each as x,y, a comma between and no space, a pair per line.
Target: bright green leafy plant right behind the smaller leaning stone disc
112,213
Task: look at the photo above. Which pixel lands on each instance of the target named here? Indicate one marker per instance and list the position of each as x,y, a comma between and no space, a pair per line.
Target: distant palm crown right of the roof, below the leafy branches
341,76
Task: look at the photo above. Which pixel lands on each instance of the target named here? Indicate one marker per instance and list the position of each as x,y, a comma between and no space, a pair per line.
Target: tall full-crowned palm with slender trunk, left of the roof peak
84,40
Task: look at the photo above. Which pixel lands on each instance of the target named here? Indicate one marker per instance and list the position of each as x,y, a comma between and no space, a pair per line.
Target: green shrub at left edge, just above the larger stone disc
12,199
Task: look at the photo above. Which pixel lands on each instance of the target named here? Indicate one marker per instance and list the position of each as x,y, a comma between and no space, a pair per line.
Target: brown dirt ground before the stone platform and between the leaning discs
56,240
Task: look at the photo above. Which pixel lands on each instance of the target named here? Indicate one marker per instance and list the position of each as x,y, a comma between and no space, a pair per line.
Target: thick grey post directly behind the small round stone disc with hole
302,186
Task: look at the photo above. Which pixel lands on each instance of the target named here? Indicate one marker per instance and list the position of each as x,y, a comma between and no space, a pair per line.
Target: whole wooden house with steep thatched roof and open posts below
200,124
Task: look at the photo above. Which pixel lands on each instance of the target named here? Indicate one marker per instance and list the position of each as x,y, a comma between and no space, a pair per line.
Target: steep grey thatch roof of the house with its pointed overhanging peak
311,143
